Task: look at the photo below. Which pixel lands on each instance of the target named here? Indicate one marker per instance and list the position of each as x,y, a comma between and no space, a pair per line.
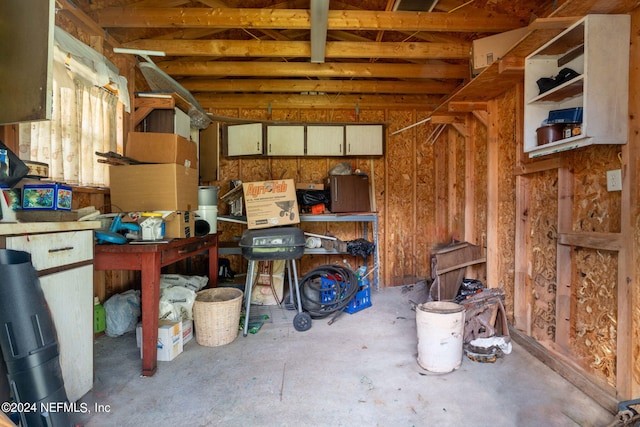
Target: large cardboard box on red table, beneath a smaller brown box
163,187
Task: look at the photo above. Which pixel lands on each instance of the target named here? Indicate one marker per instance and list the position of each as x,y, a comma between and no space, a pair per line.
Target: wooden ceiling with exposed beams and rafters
260,49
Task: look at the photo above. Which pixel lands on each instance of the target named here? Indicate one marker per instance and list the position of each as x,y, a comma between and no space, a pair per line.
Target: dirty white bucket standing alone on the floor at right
440,326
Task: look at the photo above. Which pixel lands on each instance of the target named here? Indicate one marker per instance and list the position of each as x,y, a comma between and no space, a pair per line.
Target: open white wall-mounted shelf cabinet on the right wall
597,48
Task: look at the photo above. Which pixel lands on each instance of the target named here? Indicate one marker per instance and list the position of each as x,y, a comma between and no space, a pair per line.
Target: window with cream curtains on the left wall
86,116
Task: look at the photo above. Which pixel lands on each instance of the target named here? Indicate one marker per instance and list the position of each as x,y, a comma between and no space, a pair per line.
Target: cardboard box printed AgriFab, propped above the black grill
271,203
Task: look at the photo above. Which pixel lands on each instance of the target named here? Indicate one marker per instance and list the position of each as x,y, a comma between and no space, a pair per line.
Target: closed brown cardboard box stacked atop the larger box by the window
153,147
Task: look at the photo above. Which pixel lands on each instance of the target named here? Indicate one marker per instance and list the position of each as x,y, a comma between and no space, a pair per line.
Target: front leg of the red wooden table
150,273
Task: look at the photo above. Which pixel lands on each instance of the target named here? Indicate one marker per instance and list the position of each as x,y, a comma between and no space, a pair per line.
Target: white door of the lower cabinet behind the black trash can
69,296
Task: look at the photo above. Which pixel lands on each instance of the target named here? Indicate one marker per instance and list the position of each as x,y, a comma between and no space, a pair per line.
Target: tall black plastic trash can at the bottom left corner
29,344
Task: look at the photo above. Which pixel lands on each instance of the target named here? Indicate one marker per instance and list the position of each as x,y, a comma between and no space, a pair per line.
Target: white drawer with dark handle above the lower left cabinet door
51,250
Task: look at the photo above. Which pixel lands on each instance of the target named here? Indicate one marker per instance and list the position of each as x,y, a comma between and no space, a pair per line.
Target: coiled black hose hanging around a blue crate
327,289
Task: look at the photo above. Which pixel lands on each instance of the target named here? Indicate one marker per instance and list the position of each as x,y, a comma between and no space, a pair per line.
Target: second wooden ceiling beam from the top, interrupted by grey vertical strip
292,49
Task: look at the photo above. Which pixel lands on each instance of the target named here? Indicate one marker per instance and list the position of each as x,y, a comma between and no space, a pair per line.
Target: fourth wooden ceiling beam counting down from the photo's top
326,86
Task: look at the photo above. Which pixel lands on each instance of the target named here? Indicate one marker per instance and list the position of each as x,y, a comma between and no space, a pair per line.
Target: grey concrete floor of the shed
359,371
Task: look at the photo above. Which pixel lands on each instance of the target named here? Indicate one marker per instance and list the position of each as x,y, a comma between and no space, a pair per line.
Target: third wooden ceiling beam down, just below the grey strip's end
307,69
